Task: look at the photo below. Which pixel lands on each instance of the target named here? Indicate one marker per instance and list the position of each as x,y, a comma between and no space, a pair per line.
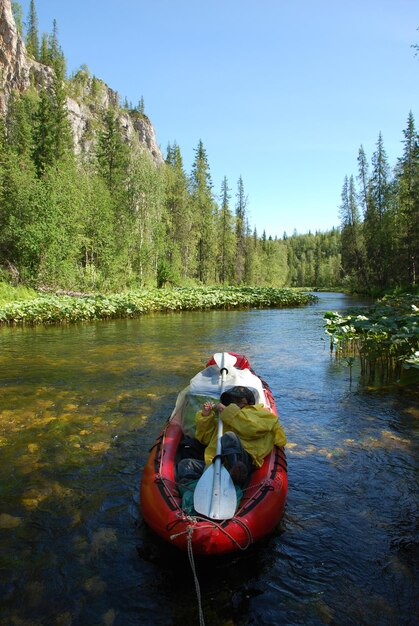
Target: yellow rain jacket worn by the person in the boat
259,430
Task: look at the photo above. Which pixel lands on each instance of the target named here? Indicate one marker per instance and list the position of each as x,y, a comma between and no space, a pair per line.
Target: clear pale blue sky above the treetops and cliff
281,92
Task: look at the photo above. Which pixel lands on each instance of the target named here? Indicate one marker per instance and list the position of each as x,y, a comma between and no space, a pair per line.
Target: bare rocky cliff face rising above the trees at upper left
85,108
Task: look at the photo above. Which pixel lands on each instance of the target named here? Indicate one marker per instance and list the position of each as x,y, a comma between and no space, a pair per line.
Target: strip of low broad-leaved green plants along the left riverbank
56,309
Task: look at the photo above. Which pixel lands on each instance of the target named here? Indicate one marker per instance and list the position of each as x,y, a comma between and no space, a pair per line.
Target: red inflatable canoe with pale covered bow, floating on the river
262,504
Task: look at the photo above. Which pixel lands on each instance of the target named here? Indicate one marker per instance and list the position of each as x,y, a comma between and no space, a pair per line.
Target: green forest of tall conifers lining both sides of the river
110,219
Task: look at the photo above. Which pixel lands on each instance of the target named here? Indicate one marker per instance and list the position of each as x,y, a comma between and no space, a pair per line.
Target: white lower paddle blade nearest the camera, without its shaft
215,495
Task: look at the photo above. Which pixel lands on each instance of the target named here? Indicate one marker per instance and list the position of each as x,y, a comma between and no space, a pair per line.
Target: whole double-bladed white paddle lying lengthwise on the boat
215,495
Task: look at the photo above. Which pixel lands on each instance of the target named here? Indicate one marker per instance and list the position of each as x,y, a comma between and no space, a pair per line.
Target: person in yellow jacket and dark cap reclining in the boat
250,432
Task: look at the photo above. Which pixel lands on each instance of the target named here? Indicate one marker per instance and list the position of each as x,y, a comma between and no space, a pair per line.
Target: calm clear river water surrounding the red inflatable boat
80,407
